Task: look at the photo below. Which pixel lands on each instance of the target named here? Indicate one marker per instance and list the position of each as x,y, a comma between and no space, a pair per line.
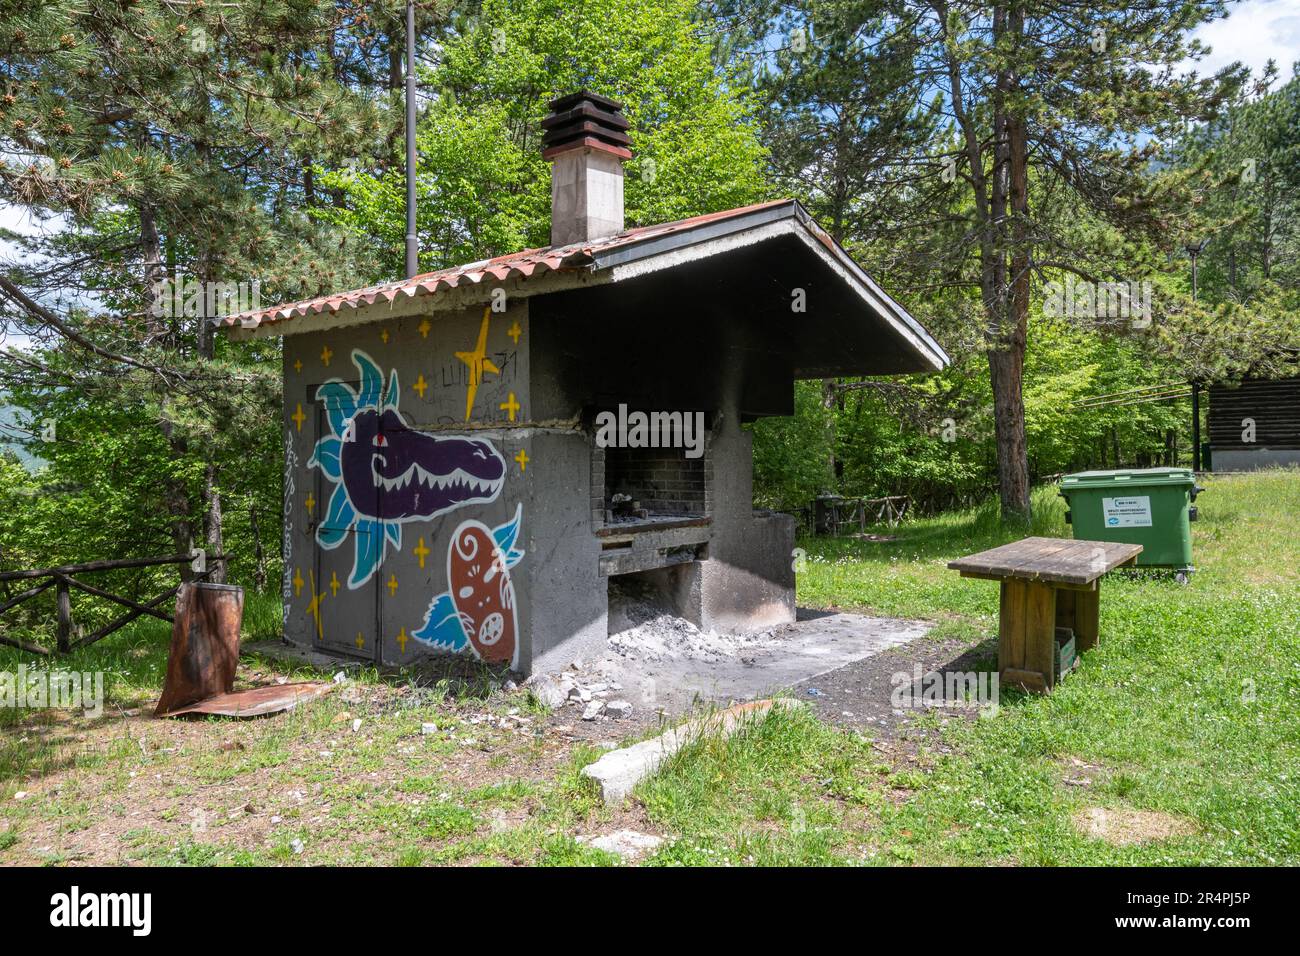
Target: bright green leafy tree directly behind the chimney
483,185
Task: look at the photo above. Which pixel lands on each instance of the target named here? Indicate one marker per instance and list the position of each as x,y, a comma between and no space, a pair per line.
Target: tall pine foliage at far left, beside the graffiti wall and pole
175,142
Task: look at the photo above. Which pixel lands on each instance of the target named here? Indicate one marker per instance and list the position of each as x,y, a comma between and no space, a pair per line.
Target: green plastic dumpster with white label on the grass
1145,507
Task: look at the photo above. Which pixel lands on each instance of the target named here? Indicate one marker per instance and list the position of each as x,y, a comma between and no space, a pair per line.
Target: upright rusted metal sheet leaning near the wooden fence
205,644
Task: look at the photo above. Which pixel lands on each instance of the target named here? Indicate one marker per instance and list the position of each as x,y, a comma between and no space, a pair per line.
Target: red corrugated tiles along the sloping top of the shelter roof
514,266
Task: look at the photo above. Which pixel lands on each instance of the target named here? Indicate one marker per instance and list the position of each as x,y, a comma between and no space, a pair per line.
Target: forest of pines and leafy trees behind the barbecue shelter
262,142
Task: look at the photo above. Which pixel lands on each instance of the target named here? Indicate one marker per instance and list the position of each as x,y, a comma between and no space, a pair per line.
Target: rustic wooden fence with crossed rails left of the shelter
64,583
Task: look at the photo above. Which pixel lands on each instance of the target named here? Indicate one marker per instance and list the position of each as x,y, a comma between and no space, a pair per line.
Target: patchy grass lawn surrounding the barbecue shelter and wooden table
1175,743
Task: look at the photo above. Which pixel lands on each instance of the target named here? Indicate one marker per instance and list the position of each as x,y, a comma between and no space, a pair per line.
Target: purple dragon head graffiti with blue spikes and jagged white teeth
387,474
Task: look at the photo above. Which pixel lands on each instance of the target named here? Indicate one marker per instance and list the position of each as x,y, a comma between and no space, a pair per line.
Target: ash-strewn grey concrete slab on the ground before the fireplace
816,644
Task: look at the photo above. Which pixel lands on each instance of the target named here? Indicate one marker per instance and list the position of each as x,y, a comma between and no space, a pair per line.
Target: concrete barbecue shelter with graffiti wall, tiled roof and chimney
444,488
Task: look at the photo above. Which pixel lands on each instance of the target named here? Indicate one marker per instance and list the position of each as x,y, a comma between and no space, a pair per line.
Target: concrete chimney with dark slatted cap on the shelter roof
586,144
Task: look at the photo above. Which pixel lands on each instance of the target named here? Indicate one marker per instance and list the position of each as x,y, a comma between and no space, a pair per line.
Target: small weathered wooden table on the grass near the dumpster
1047,583
